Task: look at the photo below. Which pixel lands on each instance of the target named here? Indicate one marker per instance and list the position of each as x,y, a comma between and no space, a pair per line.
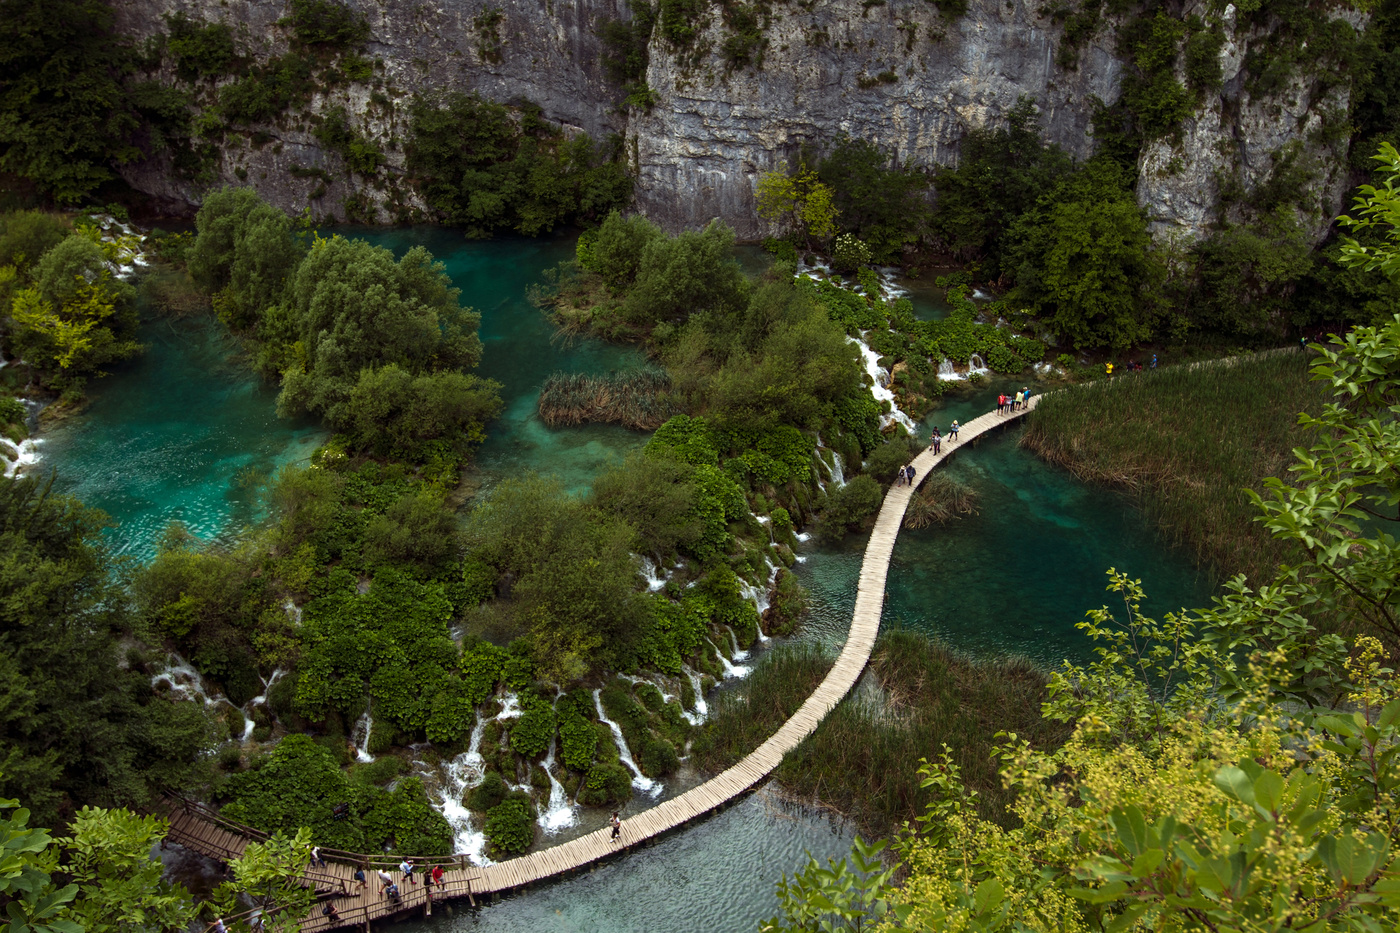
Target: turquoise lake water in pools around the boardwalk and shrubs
187,432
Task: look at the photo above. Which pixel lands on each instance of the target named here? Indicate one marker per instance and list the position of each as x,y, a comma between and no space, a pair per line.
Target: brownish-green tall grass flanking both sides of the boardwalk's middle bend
863,760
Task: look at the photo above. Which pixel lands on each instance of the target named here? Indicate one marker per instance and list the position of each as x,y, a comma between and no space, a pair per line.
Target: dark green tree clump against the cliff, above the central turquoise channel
488,172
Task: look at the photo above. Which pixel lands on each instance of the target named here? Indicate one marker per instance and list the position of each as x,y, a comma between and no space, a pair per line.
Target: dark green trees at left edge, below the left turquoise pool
75,728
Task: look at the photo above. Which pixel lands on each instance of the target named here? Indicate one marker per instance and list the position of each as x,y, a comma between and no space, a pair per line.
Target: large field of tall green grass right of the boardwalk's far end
1188,442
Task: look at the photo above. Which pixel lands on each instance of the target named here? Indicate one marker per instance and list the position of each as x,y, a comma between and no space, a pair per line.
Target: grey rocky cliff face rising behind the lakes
894,74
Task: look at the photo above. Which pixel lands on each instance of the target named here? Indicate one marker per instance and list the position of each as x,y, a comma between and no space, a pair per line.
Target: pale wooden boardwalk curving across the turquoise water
204,831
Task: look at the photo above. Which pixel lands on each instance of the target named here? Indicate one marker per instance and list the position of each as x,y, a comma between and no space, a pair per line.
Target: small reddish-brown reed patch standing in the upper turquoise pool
639,400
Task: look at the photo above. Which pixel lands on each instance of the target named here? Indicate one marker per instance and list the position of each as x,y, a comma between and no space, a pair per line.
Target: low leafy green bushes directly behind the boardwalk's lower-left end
300,782
